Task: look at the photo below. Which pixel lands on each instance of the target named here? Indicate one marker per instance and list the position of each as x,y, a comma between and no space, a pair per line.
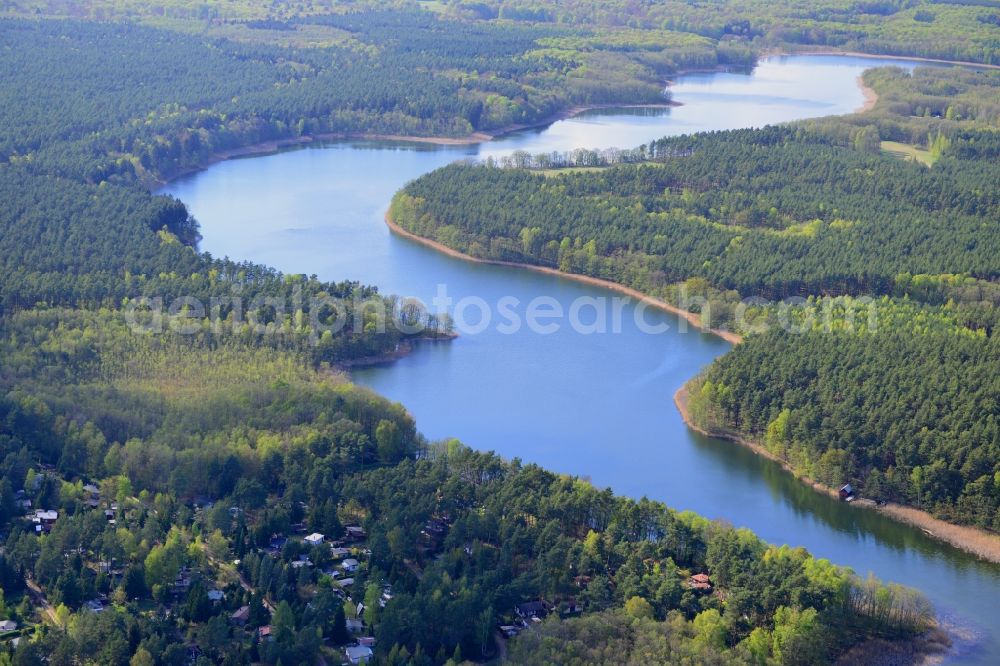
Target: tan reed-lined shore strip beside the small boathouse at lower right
971,540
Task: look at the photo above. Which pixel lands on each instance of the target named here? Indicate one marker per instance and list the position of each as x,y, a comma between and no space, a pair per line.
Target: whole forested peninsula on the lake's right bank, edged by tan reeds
899,396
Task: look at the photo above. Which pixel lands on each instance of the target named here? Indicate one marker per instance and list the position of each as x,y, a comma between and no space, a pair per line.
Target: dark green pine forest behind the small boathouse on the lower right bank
902,403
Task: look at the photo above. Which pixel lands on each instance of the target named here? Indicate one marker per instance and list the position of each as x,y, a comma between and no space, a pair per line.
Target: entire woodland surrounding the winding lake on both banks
223,494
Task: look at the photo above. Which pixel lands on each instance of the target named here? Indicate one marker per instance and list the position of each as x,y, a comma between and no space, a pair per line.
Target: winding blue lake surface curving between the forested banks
596,405
